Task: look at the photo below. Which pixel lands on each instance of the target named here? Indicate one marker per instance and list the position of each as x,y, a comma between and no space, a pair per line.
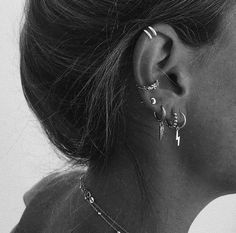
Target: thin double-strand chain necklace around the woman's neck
91,200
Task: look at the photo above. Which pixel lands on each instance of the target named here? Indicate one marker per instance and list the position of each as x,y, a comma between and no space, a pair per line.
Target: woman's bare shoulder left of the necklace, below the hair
56,204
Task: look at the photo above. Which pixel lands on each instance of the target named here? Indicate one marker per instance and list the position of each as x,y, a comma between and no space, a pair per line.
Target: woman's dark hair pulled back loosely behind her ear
74,55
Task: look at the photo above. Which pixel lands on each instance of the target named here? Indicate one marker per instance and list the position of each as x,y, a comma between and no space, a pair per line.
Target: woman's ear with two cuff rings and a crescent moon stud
160,55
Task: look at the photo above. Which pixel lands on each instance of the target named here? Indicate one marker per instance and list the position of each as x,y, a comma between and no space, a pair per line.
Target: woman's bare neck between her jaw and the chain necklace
148,188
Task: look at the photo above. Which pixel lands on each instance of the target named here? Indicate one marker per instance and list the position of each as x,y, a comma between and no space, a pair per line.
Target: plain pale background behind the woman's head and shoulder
25,153
